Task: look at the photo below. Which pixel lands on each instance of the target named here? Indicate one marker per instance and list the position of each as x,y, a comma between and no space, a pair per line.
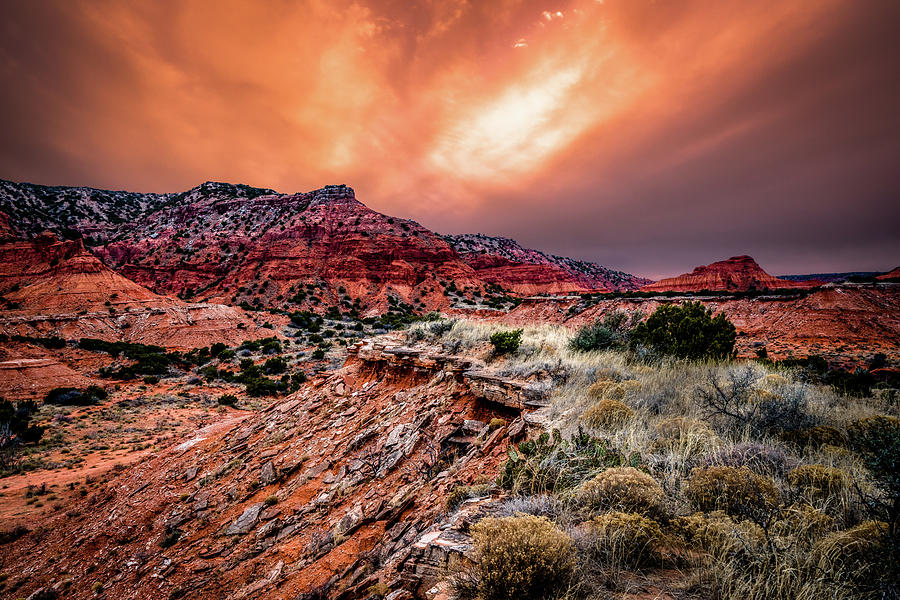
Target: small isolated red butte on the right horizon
737,274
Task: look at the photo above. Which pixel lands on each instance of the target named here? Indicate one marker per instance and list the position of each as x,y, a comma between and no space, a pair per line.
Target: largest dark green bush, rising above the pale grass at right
688,331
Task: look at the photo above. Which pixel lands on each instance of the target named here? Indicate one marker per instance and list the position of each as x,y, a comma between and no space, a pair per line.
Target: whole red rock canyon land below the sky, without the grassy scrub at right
359,470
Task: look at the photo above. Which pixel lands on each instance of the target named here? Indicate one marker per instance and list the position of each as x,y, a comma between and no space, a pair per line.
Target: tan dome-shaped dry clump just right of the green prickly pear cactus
625,489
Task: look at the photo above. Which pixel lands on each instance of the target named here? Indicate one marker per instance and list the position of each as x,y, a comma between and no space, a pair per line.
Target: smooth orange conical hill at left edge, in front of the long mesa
54,287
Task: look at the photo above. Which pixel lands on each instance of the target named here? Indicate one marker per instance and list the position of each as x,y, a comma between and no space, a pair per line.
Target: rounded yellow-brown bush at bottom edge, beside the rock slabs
523,557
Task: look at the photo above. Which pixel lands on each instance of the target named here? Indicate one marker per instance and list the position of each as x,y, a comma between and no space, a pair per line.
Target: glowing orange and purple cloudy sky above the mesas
647,135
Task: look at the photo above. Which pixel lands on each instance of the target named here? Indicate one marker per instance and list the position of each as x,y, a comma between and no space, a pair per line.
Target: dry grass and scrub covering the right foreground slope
749,478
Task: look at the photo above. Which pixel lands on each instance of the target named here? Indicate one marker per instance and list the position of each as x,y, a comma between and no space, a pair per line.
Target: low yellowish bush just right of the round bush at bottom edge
629,539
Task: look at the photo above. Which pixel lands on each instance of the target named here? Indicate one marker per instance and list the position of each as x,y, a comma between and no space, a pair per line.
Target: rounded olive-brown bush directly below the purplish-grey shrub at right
737,491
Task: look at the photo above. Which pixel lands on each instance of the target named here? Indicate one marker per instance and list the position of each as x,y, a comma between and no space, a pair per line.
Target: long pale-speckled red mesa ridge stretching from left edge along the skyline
234,243
